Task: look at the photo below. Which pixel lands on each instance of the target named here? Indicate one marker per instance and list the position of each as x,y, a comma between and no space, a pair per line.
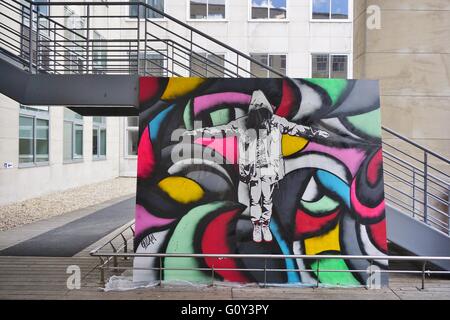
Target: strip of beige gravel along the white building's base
56,204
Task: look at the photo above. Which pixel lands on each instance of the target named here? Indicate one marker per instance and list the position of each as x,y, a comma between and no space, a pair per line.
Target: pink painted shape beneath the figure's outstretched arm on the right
351,157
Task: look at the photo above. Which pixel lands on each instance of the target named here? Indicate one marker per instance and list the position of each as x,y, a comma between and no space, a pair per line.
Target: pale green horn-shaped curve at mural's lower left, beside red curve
182,241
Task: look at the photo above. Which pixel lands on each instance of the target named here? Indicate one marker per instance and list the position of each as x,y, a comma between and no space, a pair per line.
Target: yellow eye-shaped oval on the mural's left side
181,189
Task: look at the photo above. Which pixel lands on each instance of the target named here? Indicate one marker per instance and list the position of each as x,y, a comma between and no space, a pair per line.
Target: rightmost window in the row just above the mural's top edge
329,66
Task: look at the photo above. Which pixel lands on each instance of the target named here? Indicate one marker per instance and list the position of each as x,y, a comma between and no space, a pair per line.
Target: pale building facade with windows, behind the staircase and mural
44,150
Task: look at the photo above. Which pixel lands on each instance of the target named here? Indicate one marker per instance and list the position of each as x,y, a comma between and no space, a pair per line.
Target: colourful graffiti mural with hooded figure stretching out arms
259,166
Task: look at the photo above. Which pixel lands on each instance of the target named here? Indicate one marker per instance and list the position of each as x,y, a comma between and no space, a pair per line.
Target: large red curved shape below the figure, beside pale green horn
214,241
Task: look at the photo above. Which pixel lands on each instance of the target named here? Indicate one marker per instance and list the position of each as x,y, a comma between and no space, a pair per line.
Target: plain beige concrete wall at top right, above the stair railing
410,55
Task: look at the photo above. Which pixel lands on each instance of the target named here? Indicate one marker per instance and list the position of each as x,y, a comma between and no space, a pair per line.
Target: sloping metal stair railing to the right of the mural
417,180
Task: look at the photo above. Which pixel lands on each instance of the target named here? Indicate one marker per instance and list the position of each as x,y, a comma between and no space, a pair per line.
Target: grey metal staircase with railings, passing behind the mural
95,48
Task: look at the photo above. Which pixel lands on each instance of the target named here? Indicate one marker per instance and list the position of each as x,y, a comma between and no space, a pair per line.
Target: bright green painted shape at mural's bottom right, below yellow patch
334,278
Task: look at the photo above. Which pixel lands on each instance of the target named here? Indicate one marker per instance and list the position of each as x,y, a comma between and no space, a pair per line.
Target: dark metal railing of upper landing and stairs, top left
114,38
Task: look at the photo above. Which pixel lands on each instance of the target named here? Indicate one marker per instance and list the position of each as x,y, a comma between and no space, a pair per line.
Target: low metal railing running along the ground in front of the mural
105,256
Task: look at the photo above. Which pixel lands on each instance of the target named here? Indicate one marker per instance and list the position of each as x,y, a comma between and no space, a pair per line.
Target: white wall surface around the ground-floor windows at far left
27,182
